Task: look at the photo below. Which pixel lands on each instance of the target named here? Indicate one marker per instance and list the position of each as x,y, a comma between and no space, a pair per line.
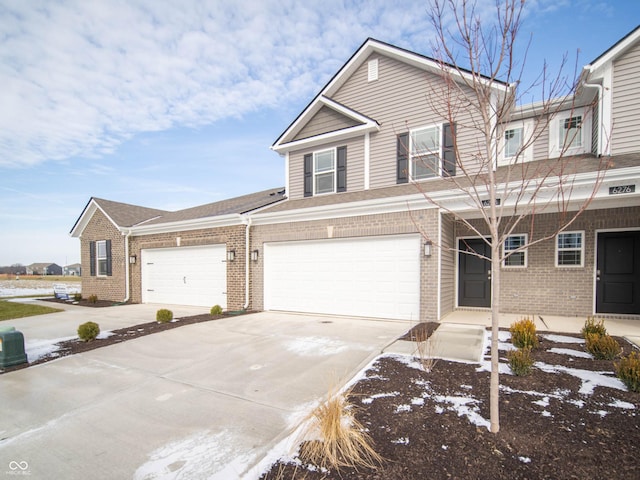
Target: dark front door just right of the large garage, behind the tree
474,273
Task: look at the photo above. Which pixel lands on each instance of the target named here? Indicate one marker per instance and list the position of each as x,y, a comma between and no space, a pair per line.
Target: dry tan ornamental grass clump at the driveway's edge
340,439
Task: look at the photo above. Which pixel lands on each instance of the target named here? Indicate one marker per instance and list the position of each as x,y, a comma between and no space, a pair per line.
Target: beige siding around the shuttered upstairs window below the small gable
355,166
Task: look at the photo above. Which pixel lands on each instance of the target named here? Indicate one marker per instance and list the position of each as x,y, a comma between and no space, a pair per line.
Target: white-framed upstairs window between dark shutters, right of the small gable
425,152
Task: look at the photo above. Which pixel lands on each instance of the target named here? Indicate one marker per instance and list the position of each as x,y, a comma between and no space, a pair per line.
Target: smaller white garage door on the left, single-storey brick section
185,276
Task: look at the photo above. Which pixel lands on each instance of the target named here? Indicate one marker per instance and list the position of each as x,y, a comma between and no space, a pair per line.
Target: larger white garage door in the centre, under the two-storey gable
367,276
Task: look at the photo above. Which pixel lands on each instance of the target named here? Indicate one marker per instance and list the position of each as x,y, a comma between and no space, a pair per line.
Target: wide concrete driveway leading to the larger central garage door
208,400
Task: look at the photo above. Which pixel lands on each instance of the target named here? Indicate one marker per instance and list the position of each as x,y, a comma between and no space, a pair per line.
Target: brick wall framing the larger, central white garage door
423,221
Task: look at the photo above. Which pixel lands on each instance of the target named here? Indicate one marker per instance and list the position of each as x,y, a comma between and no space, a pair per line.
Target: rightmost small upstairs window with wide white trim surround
570,133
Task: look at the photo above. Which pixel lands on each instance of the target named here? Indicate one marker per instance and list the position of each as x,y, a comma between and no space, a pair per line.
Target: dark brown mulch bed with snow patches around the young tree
548,429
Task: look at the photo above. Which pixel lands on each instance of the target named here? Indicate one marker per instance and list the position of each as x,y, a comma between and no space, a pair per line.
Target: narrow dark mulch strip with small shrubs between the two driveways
70,347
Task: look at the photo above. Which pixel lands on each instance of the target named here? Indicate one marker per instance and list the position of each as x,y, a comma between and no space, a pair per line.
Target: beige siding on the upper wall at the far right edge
626,103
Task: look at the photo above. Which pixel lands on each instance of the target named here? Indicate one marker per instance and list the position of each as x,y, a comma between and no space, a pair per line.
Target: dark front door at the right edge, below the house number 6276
618,273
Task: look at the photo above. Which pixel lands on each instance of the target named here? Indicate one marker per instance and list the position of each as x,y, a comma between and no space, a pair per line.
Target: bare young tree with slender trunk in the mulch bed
481,69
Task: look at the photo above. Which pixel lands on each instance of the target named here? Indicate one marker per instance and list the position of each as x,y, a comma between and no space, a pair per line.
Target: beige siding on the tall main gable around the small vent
403,97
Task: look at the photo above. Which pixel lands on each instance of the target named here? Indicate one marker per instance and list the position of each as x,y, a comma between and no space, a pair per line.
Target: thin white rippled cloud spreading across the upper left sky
81,77
